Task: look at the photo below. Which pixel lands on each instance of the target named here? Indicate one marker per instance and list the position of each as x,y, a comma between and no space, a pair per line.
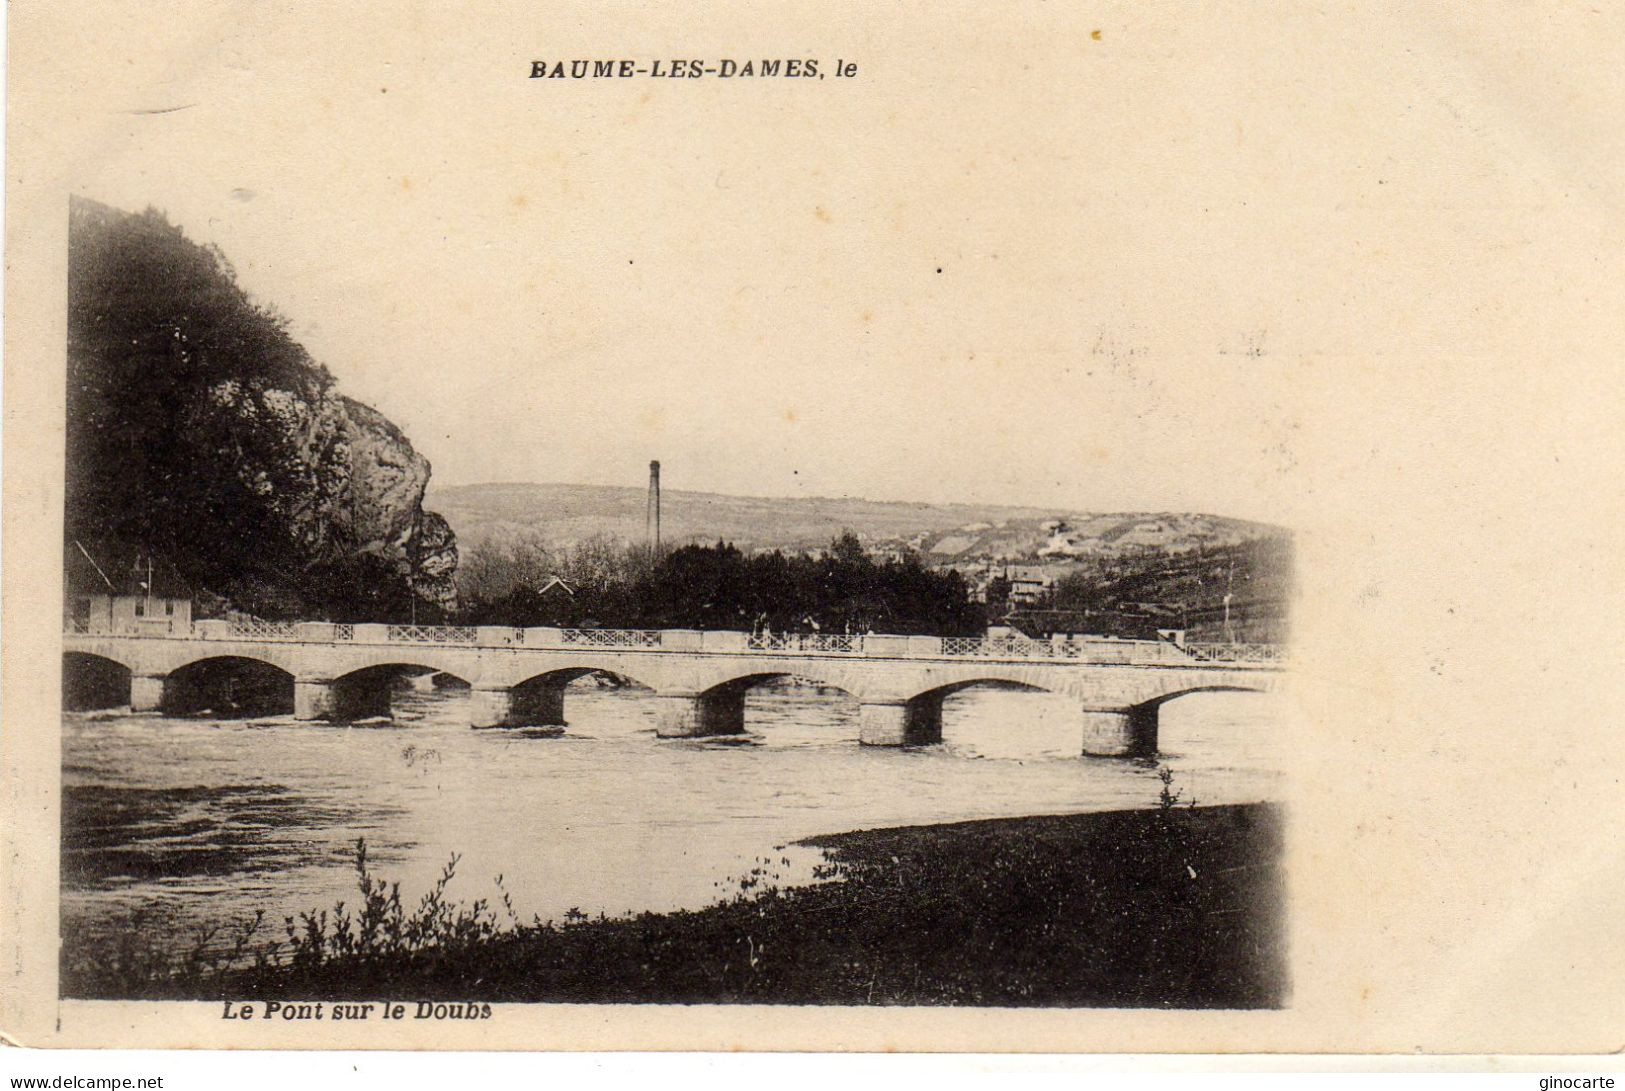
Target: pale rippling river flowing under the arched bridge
197,822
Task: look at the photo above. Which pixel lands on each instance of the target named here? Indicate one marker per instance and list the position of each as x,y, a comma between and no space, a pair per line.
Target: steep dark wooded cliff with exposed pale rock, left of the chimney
202,433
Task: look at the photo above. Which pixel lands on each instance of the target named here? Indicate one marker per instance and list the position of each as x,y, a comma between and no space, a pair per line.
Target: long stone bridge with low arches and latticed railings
519,677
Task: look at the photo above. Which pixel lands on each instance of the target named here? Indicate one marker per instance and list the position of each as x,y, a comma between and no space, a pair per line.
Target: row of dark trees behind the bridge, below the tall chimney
844,589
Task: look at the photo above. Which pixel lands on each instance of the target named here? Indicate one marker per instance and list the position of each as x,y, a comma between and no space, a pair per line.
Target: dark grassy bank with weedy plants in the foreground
1164,908
